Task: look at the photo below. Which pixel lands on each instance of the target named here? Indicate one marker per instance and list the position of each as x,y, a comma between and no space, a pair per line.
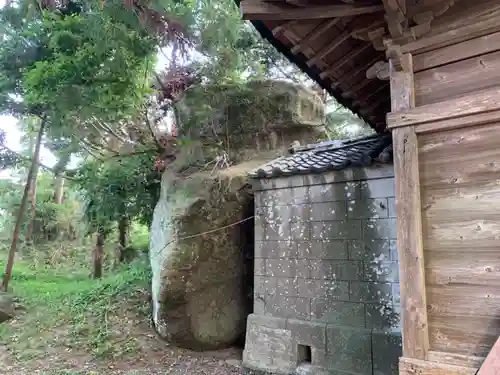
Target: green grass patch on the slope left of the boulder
64,309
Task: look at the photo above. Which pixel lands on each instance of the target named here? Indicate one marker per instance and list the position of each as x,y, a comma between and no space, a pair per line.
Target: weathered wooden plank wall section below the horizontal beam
460,192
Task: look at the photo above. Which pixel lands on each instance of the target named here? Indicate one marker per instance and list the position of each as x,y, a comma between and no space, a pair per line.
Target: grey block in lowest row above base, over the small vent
289,307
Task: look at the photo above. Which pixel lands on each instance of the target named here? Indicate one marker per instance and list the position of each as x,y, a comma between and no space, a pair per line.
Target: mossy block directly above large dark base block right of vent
338,312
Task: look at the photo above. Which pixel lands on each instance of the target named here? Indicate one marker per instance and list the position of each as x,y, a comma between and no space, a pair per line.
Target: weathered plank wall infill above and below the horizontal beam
460,194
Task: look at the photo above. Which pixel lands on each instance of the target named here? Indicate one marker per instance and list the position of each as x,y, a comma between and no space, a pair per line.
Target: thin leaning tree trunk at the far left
15,235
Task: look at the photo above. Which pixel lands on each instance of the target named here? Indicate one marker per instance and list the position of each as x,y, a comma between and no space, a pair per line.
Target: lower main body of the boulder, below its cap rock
198,292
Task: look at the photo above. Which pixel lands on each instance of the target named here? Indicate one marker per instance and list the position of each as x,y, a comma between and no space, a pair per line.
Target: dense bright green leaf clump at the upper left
90,66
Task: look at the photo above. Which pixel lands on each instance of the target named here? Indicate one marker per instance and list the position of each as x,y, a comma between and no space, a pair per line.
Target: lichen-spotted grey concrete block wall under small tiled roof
326,274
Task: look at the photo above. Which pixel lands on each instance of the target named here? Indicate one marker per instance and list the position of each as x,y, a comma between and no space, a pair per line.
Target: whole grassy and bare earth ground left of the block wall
69,324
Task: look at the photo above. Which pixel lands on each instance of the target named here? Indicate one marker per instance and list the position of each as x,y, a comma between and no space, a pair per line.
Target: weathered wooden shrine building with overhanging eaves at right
429,72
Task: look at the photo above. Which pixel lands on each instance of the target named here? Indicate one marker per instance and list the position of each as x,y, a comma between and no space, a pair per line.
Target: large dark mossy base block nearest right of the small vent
349,349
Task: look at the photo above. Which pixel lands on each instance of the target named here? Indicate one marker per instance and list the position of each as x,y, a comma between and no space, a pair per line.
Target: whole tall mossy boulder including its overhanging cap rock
196,250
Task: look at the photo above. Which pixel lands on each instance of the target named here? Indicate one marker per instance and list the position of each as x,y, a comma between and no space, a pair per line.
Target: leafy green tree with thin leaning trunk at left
74,66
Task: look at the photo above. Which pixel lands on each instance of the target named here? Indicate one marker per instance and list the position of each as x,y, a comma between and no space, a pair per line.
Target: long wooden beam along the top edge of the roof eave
262,11
